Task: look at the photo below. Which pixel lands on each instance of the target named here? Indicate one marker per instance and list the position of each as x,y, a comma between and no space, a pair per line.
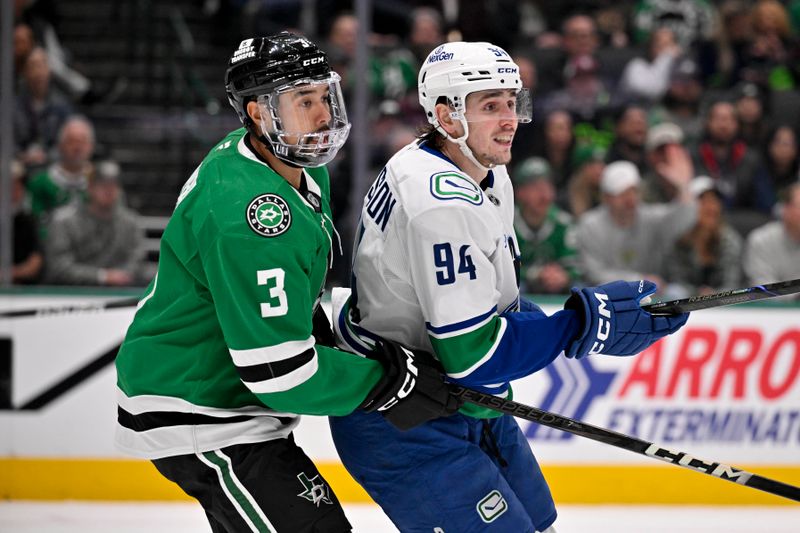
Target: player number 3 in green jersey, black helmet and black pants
228,345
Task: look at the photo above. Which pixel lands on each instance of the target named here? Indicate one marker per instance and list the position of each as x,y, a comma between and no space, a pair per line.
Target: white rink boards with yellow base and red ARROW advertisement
726,388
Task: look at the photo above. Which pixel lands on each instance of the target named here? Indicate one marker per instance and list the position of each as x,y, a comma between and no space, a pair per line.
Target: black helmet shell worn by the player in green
262,64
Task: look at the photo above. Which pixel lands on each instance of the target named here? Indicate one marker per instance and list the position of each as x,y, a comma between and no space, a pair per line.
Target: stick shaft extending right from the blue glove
735,296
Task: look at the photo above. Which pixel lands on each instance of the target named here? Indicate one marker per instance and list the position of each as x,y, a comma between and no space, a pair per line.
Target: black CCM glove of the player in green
412,391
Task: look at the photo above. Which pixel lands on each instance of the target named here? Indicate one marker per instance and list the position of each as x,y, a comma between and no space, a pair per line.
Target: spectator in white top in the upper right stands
648,78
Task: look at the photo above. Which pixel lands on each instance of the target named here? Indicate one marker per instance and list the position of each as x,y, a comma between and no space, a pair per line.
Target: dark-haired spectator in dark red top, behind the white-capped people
726,158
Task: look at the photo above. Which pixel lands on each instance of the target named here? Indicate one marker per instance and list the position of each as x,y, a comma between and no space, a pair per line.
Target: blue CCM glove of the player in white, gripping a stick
613,322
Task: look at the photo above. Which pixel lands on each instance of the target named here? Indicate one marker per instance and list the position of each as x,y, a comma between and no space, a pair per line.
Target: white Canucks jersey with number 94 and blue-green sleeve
436,268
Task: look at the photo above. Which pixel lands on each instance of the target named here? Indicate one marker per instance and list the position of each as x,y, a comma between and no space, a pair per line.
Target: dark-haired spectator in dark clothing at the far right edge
780,166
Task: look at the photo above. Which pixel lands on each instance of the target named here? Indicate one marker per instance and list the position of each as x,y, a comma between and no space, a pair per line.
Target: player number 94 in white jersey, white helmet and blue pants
436,269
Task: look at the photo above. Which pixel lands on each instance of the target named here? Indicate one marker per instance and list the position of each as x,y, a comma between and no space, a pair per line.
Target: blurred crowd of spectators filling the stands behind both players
664,143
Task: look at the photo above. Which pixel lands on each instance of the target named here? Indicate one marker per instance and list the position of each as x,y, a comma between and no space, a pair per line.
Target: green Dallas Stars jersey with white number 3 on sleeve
220,351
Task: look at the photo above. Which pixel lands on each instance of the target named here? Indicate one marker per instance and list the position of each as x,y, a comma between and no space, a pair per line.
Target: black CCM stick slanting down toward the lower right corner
626,442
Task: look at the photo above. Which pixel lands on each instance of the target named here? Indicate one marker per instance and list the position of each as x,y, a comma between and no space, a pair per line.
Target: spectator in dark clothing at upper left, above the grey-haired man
40,111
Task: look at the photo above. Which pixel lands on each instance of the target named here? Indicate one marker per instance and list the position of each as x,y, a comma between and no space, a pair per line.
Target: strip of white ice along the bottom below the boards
83,517
